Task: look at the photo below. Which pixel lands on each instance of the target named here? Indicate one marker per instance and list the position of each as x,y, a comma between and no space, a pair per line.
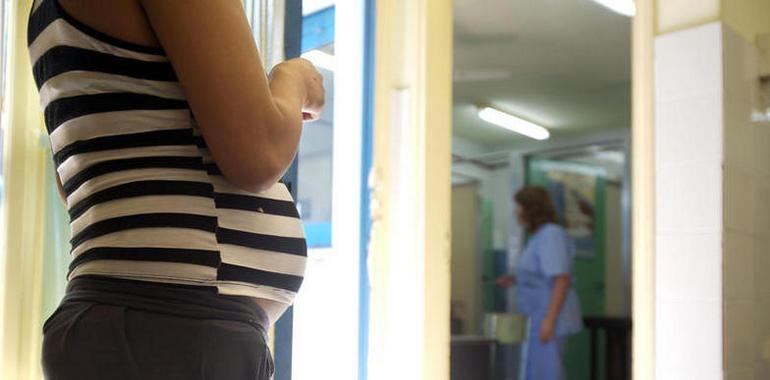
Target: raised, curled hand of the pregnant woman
311,79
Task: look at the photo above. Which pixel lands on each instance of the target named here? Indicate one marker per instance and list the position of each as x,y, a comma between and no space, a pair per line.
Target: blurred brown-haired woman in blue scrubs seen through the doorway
544,284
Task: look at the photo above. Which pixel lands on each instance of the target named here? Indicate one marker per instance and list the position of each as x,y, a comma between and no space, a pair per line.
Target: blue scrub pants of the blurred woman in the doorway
544,361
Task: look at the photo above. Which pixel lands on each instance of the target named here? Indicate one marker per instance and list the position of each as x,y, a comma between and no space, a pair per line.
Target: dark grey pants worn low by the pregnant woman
105,330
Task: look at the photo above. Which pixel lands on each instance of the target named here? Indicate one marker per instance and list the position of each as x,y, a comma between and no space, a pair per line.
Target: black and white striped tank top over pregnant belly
145,198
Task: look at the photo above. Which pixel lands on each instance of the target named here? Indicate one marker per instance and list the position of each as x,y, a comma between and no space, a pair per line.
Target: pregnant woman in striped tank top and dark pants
169,140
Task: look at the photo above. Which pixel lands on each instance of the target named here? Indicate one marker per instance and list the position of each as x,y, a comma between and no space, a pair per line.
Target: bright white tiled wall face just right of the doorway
688,135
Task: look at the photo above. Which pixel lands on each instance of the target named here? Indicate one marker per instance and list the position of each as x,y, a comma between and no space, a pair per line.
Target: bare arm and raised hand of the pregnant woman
251,124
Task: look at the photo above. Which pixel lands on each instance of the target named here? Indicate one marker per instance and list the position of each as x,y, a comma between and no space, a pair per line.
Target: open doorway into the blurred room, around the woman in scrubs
564,68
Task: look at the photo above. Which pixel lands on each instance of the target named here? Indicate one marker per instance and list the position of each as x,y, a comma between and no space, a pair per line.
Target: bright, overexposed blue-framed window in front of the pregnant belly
330,187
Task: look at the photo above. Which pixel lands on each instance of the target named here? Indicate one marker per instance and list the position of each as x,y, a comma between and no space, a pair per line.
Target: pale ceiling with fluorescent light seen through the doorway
564,64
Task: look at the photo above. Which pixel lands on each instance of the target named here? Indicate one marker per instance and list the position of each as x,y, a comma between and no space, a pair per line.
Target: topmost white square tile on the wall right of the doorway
689,63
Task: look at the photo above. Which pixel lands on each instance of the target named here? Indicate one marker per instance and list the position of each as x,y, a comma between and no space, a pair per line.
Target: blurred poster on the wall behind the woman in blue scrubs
577,191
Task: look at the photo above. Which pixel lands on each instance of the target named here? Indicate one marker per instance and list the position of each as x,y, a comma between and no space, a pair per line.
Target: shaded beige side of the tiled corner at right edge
747,214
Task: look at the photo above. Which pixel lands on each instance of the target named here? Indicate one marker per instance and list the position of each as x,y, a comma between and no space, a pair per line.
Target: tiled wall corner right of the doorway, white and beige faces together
713,209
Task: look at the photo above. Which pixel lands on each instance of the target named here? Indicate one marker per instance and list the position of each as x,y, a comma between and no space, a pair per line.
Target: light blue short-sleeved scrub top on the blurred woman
550,252
